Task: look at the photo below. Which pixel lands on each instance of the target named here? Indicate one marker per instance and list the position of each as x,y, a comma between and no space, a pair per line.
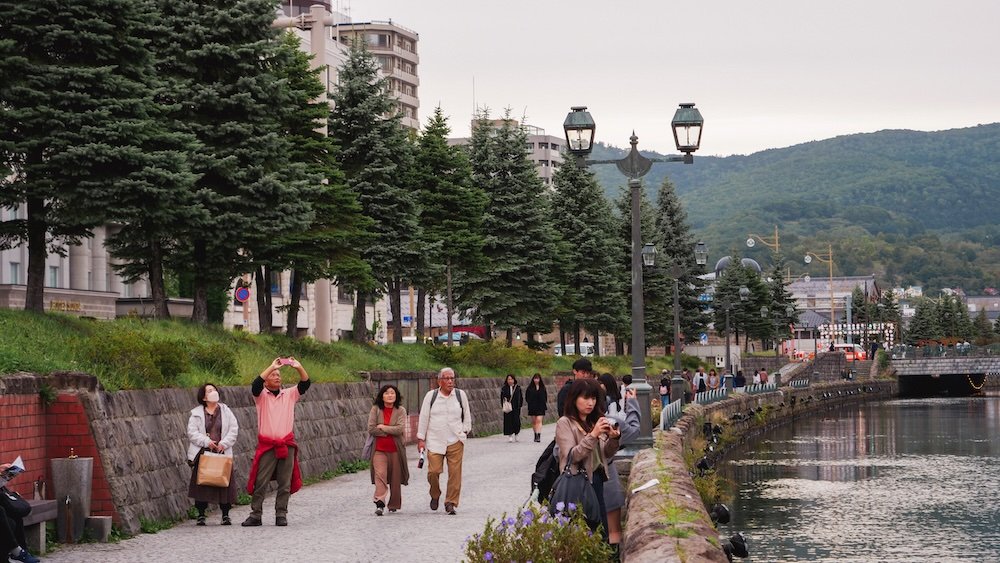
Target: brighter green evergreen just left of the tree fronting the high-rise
328,247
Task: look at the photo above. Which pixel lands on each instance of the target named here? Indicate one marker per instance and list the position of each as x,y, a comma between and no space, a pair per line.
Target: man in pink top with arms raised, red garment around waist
277,455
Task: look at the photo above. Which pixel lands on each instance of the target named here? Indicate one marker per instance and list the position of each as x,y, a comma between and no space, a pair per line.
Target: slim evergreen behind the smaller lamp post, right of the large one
677,250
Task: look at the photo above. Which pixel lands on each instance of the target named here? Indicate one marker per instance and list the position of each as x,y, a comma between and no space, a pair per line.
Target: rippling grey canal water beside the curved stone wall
904,480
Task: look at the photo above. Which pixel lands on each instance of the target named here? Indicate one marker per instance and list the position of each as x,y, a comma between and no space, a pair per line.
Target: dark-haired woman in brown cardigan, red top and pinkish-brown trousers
388,463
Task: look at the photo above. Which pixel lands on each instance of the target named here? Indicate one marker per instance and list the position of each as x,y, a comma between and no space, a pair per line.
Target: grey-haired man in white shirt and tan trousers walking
444,425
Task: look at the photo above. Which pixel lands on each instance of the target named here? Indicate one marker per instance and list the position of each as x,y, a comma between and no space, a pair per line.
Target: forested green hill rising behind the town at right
913,207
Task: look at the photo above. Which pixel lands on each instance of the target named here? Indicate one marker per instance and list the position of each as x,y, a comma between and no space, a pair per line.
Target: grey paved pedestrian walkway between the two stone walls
334,521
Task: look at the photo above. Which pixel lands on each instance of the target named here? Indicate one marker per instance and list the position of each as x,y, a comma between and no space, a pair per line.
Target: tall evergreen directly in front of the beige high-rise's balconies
377,161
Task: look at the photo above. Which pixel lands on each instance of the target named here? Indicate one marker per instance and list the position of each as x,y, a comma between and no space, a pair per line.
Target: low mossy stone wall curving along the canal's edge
648,537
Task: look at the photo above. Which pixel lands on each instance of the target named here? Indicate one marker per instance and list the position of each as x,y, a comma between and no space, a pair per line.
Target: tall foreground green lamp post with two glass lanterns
580,128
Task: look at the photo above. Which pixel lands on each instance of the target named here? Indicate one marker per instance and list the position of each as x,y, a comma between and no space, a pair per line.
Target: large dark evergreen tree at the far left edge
79,124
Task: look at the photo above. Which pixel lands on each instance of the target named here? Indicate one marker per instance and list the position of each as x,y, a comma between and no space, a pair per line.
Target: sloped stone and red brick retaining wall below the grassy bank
138,439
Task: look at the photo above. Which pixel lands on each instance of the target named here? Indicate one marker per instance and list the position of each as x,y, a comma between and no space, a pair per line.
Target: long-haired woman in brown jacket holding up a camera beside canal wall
586,439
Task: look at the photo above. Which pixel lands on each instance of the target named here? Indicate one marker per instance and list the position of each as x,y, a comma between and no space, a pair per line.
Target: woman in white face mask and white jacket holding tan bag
212,427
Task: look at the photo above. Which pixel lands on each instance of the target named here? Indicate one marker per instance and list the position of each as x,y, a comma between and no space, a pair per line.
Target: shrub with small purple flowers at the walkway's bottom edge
534,535
